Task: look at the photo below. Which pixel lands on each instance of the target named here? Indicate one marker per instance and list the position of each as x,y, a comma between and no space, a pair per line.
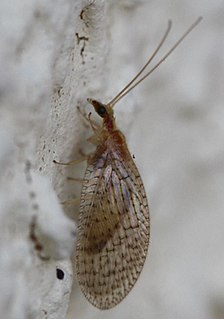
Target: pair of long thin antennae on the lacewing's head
122,93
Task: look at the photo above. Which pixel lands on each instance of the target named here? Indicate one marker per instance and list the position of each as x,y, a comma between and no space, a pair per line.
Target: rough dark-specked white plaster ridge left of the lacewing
44,70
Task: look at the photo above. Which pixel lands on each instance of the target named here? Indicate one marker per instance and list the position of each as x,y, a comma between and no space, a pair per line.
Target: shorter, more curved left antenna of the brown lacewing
113,101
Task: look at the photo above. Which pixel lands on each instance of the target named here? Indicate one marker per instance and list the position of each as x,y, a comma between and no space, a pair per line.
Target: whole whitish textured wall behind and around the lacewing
54,54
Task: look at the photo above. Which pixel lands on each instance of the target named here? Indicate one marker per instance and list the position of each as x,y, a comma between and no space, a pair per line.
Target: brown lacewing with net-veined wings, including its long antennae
114,225
